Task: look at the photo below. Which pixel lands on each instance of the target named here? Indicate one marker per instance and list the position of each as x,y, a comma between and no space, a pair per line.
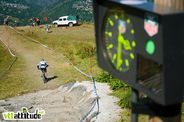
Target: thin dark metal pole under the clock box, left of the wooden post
135,96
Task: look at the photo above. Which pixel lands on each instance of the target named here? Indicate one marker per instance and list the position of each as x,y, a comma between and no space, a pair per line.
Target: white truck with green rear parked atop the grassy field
66,20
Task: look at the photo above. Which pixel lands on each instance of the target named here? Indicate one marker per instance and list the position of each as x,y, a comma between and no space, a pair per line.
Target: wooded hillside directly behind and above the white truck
83,8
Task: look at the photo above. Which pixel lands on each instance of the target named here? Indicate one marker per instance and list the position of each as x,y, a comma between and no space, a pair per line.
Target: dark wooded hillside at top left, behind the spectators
19,11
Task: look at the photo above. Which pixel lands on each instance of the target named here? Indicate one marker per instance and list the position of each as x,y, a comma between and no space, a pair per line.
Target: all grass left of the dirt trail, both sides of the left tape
8,78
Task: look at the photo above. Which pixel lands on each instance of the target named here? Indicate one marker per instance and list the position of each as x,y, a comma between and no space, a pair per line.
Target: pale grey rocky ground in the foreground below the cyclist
68,103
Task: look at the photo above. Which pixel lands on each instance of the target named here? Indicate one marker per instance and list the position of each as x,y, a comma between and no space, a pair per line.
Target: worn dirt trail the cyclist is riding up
31,53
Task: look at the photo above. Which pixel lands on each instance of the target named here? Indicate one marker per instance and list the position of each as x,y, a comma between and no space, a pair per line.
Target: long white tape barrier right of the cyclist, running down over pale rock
76,68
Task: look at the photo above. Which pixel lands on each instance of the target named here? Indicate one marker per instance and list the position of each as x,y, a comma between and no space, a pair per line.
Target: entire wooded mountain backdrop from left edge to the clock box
20,11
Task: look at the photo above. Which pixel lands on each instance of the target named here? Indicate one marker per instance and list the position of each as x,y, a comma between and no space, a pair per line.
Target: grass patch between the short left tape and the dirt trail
13,84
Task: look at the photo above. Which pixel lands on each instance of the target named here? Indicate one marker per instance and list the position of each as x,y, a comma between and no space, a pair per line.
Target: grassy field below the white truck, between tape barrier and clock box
79,40
